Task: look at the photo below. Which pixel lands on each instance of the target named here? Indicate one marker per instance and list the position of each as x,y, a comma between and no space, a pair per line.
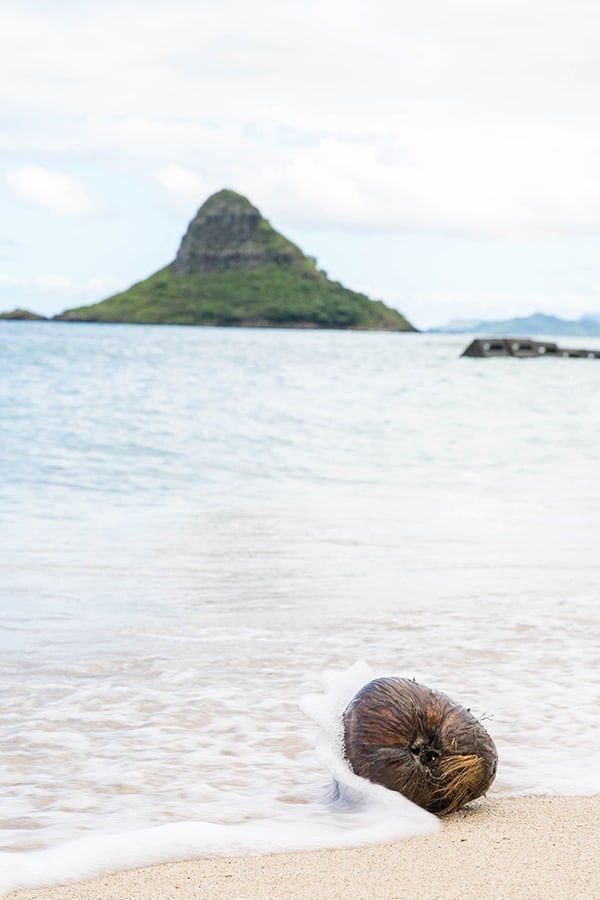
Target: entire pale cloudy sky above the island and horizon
440,155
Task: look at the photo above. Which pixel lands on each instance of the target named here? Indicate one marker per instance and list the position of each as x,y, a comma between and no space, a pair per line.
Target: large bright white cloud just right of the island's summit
507,178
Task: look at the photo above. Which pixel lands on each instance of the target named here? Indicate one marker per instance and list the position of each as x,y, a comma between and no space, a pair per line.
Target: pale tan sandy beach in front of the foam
525,847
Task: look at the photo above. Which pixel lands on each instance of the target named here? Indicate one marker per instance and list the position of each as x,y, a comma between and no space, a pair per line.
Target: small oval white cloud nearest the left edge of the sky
60,194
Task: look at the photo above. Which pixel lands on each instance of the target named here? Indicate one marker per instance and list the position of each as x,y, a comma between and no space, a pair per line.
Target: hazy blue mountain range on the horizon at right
539,323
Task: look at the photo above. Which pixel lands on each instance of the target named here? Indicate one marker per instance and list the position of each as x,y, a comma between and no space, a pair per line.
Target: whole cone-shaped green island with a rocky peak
233,268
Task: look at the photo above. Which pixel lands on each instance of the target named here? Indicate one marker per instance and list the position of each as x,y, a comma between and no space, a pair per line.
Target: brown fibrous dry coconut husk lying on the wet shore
418,742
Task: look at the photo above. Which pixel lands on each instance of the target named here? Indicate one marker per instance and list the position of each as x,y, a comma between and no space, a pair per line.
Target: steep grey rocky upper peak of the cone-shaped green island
229,233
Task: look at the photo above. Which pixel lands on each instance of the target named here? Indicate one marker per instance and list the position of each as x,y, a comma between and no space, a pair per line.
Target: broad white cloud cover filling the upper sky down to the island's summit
386,116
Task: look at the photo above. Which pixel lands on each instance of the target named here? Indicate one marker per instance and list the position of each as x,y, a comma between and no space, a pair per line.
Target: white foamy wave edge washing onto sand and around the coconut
358,813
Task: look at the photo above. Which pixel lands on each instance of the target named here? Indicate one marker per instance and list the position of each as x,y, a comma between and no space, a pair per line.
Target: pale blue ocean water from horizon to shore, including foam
198,523
